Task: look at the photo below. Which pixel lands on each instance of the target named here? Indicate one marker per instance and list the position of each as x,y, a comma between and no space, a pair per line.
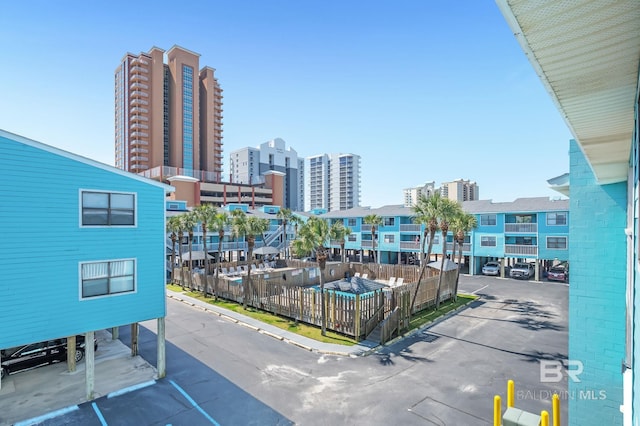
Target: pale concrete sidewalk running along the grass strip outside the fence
362,348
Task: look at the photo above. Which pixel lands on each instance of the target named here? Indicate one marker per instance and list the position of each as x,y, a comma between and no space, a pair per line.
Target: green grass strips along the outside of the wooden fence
311,331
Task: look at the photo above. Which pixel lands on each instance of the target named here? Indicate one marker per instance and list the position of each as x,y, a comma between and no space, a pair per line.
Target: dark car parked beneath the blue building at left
37,354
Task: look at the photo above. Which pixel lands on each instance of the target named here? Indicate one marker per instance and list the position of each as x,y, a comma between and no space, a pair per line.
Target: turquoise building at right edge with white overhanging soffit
587,55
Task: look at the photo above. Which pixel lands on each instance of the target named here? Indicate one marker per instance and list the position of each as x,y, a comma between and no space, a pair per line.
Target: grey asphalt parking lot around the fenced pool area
445,374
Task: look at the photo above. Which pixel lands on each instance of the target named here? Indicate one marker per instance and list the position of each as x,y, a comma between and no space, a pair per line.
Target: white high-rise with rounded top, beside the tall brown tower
252,166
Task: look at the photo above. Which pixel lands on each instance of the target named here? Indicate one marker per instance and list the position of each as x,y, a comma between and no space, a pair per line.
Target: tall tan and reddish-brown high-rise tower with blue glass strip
168,115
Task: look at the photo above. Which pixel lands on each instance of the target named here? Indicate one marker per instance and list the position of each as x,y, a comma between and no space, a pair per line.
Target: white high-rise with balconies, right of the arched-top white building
332,182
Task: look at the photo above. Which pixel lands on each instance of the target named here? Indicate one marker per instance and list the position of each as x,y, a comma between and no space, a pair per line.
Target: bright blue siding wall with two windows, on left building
43,245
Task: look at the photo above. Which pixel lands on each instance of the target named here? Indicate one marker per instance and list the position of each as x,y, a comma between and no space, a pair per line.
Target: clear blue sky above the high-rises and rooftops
421,90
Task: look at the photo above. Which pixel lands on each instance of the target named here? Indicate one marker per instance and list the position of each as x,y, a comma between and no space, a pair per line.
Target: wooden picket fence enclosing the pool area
295,294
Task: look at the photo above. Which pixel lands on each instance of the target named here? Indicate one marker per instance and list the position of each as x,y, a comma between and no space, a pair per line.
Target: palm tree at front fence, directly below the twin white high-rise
312,237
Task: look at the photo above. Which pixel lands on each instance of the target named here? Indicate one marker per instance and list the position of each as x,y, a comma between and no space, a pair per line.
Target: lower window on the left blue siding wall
104,278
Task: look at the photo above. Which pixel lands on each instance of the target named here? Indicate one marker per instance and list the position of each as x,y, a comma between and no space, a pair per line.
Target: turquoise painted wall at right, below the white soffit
597,253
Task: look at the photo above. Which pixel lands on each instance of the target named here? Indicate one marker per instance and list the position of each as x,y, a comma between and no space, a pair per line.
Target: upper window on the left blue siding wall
108,209
